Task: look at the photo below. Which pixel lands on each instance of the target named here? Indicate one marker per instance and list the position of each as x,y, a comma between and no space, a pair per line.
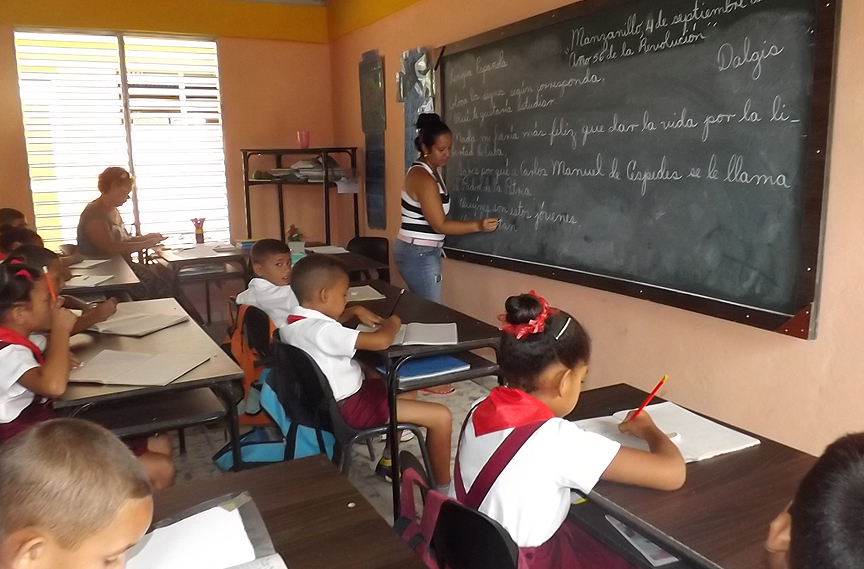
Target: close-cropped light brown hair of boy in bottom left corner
67,476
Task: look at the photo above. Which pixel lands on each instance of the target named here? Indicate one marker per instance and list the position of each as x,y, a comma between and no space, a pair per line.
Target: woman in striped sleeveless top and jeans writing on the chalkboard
425,204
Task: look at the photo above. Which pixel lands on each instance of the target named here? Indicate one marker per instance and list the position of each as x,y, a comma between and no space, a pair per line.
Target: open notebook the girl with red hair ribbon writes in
699,438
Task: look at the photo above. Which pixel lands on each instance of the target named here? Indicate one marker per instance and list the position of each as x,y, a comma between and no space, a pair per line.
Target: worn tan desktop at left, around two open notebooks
184,337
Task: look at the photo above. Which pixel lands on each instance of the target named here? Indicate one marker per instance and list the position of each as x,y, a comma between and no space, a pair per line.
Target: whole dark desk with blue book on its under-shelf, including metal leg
473,335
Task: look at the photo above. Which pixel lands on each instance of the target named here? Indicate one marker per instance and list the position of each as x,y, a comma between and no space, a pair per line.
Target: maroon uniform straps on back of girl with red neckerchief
493,467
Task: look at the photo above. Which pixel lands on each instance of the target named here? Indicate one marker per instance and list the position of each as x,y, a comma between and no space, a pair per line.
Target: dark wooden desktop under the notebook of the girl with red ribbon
720,518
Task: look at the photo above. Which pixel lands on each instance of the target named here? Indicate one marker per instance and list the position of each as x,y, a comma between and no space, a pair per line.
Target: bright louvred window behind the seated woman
76,93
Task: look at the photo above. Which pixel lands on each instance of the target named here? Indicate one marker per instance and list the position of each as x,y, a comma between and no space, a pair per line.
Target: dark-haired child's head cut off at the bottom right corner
823,527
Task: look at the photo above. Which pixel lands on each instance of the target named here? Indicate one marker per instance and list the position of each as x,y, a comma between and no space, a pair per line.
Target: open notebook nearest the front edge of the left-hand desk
110,367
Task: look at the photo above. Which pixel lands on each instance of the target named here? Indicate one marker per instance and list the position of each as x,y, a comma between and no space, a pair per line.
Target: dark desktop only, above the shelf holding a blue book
473,333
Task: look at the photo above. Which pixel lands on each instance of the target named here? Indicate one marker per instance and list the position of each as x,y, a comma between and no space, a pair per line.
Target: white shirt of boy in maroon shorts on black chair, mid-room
331,345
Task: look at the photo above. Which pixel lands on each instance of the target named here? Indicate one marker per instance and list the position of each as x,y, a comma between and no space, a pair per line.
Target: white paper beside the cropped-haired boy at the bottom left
214,539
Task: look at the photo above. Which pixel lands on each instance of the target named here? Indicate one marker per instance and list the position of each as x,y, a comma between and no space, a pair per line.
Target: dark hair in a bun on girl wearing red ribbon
563,340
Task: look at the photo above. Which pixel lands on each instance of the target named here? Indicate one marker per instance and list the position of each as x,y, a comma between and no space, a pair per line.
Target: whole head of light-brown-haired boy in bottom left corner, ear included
71,495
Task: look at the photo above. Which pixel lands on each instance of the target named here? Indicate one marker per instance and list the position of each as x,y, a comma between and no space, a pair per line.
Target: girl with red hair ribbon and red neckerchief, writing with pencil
518,458
